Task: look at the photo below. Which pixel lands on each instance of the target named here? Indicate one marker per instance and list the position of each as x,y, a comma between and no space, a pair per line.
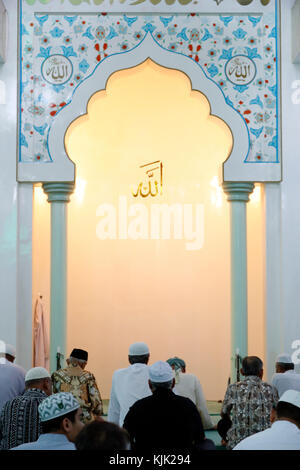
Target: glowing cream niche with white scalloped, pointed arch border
126,281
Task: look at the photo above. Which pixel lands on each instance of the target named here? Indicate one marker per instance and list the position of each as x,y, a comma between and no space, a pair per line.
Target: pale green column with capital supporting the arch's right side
238,196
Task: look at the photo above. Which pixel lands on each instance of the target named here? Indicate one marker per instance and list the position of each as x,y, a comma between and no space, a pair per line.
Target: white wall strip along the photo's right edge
290,188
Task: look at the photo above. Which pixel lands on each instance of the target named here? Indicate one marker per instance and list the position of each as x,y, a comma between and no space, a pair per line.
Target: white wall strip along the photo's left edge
15,206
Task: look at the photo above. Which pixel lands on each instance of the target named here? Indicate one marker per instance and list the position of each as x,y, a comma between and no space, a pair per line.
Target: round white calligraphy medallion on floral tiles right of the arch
240,70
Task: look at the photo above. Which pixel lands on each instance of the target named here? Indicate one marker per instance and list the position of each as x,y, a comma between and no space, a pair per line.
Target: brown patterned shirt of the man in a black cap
82,384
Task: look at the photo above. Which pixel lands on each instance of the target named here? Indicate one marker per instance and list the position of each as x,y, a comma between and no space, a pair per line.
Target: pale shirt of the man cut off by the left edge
12,381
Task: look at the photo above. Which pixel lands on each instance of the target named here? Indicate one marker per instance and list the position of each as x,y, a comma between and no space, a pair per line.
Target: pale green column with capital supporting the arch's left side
58,196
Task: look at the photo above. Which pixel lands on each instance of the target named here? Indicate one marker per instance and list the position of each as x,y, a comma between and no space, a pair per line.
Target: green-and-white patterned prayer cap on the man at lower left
57,405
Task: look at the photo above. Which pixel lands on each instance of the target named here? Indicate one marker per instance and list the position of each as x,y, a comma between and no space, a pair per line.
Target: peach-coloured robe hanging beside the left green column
41,339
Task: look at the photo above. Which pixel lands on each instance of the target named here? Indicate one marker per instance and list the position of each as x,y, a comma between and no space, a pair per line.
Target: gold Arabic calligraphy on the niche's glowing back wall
151,185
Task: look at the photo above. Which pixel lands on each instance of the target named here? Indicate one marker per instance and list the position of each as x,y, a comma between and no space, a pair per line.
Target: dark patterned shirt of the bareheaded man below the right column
250,403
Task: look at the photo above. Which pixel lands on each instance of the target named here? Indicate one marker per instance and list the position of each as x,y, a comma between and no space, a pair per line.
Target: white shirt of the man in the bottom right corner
283,435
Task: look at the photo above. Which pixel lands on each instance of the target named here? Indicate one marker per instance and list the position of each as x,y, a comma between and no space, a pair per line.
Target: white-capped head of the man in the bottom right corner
288,408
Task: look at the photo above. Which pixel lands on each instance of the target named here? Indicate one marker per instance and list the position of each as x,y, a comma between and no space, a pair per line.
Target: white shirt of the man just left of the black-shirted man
128,386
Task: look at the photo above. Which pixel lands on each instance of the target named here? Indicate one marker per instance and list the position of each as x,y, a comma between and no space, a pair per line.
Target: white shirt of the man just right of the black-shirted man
187,385
